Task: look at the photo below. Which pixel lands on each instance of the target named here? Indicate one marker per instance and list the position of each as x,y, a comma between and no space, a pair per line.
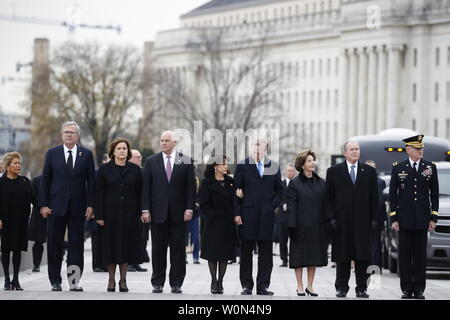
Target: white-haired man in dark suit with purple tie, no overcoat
168,202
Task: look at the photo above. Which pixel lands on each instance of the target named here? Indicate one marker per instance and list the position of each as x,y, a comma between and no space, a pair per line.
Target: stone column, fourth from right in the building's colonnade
362,92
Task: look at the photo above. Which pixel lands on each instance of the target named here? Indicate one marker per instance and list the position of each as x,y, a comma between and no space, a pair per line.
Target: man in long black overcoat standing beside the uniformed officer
352,211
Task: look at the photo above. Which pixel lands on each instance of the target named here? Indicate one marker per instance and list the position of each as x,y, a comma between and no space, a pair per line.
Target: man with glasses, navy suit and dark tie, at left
66,198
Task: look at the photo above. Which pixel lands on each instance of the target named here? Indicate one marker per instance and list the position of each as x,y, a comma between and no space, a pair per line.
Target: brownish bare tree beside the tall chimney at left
99,87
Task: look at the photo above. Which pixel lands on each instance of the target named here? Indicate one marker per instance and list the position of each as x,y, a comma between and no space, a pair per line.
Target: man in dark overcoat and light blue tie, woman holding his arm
258,181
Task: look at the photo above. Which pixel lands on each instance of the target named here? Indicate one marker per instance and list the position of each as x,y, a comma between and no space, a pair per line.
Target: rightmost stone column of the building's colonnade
393,89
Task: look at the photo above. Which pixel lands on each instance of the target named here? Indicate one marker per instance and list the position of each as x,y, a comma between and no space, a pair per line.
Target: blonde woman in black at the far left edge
16,197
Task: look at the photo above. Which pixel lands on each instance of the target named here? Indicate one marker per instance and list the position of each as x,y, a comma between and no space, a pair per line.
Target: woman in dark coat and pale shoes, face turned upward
306,220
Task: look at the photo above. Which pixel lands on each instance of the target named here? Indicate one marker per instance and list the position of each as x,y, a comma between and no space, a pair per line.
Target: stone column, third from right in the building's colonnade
371,92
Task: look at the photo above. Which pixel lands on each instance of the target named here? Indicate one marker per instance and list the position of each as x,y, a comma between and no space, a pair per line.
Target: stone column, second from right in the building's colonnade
381,88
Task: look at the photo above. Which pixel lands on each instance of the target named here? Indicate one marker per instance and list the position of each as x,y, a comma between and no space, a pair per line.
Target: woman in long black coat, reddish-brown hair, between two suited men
118,211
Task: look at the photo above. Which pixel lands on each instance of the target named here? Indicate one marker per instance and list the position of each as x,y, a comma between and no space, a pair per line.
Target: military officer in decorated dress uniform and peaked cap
414,184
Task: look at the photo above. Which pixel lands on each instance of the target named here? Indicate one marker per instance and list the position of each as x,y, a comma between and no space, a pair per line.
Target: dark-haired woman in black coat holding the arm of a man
217,199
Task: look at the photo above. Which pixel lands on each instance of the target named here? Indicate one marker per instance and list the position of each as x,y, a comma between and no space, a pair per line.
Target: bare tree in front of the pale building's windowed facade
231,85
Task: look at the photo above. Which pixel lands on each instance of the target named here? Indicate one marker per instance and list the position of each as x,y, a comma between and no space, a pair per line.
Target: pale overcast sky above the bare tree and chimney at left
140,21
